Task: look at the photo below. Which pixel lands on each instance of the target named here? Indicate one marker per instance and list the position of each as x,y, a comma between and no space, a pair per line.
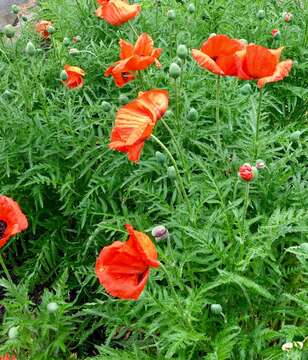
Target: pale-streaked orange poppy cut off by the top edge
117,12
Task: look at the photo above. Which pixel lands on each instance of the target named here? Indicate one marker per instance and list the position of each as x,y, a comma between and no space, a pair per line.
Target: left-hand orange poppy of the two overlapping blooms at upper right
217,55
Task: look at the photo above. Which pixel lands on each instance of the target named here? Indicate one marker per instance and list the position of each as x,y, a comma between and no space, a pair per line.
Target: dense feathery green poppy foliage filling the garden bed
78,194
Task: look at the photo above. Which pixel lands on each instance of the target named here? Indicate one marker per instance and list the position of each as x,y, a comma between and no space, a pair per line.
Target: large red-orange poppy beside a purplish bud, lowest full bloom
123,268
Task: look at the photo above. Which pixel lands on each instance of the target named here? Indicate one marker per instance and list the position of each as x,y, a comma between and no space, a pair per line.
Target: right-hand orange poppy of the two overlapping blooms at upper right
262,64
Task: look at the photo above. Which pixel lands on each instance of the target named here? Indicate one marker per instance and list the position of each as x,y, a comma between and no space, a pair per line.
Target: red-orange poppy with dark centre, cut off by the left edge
12,219
